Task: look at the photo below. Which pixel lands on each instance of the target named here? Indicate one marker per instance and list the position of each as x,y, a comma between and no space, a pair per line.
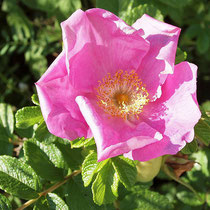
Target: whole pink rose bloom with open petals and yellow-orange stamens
119,84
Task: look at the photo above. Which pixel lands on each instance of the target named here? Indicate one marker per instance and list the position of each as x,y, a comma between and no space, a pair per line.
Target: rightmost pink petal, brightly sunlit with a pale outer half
174,114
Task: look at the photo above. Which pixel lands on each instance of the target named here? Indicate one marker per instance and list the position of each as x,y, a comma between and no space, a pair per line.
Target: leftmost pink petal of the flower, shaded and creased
57,101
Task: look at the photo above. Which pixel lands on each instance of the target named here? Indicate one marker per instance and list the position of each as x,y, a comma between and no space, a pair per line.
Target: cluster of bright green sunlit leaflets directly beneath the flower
105,188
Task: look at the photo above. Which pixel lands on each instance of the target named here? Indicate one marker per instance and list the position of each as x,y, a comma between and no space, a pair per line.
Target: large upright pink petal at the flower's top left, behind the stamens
97,42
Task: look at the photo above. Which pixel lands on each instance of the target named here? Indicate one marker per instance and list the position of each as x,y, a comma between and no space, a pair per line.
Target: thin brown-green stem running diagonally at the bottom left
54,187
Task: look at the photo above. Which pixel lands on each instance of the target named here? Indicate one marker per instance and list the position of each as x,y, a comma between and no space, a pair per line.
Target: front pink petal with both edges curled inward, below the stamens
114,136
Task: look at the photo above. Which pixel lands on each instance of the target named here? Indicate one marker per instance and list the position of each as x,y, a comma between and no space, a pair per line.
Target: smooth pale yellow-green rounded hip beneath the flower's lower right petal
146,171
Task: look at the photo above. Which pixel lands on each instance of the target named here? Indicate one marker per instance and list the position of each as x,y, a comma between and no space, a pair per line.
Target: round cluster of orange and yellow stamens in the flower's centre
122,95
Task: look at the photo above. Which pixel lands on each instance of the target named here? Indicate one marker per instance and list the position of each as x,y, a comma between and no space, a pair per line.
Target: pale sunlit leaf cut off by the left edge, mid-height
6,119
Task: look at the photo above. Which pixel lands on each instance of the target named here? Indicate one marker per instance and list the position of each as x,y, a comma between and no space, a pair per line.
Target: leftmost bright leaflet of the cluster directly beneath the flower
89,167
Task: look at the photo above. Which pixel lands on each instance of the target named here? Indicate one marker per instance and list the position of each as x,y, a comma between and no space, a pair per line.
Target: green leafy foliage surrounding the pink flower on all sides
34,164
